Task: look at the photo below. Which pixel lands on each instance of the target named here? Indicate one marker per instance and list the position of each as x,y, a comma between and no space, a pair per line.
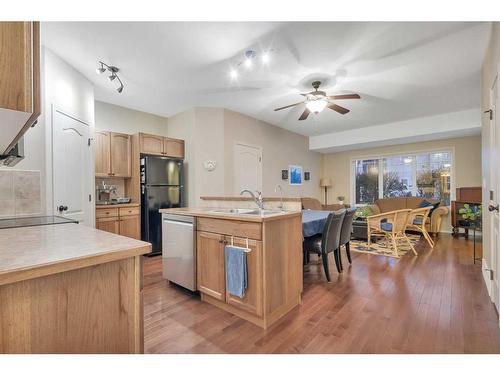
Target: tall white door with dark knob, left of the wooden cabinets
72,186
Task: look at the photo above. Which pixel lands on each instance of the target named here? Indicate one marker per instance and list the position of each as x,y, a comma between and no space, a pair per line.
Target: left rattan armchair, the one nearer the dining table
392,225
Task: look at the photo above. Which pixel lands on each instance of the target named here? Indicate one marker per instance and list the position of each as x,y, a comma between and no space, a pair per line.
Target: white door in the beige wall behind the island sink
247,169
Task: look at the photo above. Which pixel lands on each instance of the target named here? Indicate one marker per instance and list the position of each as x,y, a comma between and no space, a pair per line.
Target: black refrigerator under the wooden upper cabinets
162,186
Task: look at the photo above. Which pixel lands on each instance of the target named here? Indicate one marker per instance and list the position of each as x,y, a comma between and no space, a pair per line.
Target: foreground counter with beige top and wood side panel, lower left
69,288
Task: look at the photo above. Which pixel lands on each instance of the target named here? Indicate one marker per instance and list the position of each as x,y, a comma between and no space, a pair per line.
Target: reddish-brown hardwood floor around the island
433,303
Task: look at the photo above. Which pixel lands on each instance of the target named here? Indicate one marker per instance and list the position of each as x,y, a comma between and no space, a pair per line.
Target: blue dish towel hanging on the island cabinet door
236,270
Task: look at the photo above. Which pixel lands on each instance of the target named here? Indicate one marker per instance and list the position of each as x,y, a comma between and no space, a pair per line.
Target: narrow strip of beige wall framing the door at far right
489,71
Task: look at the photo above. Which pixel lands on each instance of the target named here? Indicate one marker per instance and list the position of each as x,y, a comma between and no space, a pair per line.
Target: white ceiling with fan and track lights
401,70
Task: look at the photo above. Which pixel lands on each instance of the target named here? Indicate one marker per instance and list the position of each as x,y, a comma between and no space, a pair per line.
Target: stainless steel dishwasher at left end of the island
179,250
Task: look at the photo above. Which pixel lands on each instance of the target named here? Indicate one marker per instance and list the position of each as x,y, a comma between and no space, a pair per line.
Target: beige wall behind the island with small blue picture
210,134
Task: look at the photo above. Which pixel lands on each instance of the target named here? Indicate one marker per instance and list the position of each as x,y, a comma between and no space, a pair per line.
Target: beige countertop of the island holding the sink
207,212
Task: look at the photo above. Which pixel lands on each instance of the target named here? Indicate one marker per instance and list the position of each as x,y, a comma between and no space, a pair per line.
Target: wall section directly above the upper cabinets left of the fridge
124,120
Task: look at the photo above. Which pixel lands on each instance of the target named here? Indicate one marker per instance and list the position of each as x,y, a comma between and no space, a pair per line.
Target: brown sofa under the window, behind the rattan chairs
433,224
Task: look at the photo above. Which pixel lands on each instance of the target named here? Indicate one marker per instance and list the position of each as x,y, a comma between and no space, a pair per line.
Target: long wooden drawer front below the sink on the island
231,227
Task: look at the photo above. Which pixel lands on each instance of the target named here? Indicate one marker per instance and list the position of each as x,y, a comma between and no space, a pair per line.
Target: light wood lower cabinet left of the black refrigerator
125,221
